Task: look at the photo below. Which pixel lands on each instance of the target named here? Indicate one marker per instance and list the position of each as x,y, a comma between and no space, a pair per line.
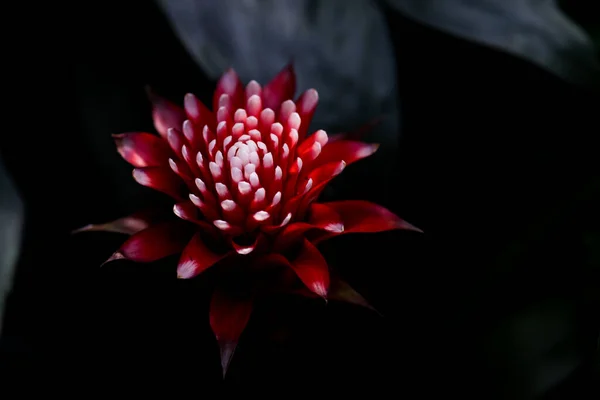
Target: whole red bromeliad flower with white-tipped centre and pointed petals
245,179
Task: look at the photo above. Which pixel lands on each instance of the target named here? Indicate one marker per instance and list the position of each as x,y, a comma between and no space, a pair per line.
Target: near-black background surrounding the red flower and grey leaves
499,299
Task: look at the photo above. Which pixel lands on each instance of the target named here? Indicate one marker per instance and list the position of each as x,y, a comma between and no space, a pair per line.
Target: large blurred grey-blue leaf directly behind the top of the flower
341,48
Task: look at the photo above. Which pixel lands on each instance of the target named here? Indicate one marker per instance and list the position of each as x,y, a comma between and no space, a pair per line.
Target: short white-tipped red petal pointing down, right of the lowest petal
311,268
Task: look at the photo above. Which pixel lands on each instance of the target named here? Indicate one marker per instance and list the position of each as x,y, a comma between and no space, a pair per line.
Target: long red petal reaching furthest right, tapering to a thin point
365,217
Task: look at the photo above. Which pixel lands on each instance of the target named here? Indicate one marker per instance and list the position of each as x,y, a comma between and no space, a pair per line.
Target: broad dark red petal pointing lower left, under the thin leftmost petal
153,243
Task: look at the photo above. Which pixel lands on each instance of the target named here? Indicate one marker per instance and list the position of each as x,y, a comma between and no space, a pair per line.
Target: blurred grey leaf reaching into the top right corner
535,30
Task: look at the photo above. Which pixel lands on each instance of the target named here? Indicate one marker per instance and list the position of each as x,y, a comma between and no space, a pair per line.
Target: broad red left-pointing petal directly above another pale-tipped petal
142,149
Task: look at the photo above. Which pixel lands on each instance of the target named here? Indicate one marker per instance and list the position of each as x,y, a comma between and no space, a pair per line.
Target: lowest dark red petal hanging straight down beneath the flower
229,316
